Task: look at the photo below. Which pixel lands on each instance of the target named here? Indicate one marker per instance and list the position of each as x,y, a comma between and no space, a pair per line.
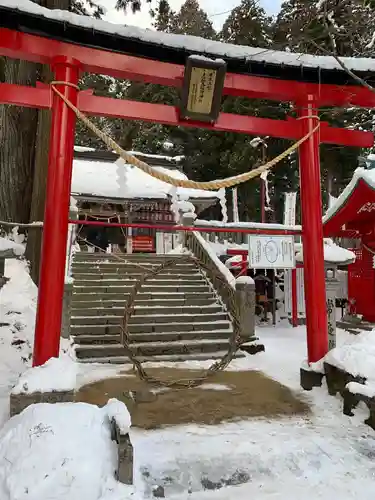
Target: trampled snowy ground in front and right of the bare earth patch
319,457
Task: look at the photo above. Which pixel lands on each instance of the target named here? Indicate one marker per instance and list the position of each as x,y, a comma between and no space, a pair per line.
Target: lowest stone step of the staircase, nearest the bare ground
151,349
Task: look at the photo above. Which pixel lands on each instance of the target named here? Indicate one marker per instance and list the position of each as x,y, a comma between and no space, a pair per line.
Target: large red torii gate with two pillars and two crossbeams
70,49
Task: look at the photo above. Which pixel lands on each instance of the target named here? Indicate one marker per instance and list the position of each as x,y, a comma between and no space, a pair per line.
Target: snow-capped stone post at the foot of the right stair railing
245,301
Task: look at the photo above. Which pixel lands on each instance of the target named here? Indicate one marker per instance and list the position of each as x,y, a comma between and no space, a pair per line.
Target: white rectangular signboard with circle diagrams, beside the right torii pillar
271,252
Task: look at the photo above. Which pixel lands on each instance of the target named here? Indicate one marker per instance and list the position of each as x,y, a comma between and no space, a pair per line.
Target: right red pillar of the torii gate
312,235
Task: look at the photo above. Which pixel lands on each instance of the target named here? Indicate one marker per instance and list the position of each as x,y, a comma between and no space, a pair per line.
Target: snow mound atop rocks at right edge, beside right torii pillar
356,356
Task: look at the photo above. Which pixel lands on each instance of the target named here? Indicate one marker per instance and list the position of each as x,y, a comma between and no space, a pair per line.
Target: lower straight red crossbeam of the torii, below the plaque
40,97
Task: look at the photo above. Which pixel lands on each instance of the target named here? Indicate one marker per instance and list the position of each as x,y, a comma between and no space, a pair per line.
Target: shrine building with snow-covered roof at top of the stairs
109,190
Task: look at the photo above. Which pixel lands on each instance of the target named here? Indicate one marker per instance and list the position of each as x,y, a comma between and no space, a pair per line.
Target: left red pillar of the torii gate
56,214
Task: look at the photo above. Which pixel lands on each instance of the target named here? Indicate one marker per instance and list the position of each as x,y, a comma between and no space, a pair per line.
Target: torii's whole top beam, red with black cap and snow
132,53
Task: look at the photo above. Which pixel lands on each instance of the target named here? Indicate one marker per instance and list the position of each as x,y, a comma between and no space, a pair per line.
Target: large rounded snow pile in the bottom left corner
61,451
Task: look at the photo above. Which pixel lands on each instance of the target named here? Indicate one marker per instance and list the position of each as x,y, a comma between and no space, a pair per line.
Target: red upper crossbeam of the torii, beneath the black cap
34,48
